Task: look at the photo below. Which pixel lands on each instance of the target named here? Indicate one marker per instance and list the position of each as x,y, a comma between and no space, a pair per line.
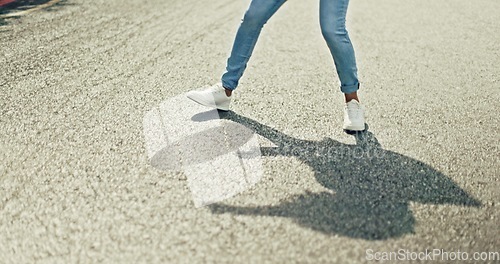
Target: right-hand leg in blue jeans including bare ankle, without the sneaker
332,21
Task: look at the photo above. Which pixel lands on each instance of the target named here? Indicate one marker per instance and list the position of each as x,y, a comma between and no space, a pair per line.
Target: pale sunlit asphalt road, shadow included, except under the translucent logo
76,184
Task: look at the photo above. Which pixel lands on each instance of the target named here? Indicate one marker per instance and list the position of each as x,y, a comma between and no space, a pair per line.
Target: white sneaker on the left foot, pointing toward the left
214,96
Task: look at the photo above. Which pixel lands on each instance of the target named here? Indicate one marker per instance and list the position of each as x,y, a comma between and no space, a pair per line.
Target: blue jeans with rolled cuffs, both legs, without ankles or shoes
332,21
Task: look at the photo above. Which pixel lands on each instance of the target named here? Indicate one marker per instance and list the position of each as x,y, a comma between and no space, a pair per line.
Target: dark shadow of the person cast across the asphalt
371,188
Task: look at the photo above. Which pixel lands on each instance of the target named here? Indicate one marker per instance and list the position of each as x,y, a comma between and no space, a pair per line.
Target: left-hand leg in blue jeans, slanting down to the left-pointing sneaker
255,17
